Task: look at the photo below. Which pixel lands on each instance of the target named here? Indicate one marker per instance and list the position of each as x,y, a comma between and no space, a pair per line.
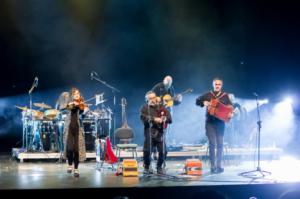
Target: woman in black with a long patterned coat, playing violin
74,142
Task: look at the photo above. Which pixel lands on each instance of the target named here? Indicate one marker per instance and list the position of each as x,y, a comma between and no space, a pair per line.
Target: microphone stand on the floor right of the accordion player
261,173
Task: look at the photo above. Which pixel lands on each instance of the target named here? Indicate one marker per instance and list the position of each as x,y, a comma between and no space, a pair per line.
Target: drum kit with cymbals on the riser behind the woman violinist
43,127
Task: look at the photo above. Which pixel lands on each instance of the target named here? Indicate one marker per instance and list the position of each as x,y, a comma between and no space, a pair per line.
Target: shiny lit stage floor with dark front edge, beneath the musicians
49,174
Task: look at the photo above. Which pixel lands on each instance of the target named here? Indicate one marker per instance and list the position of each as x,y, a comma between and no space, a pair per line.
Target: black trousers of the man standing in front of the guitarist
149,144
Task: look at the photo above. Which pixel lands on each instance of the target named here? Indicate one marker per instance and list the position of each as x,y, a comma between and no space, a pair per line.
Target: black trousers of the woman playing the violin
73,146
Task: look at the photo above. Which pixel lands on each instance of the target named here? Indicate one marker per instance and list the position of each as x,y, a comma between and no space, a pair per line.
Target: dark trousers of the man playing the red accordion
215,135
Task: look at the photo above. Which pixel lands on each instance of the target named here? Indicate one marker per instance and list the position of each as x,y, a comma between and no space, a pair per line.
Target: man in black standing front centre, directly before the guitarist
155,117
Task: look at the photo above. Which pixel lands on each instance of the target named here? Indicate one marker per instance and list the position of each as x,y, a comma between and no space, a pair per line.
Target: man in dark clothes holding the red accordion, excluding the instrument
214,127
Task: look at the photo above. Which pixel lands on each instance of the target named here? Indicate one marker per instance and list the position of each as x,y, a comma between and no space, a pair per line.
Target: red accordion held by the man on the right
220,110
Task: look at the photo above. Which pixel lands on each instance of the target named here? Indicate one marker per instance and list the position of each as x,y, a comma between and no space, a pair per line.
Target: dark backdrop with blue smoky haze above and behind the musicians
253,45
